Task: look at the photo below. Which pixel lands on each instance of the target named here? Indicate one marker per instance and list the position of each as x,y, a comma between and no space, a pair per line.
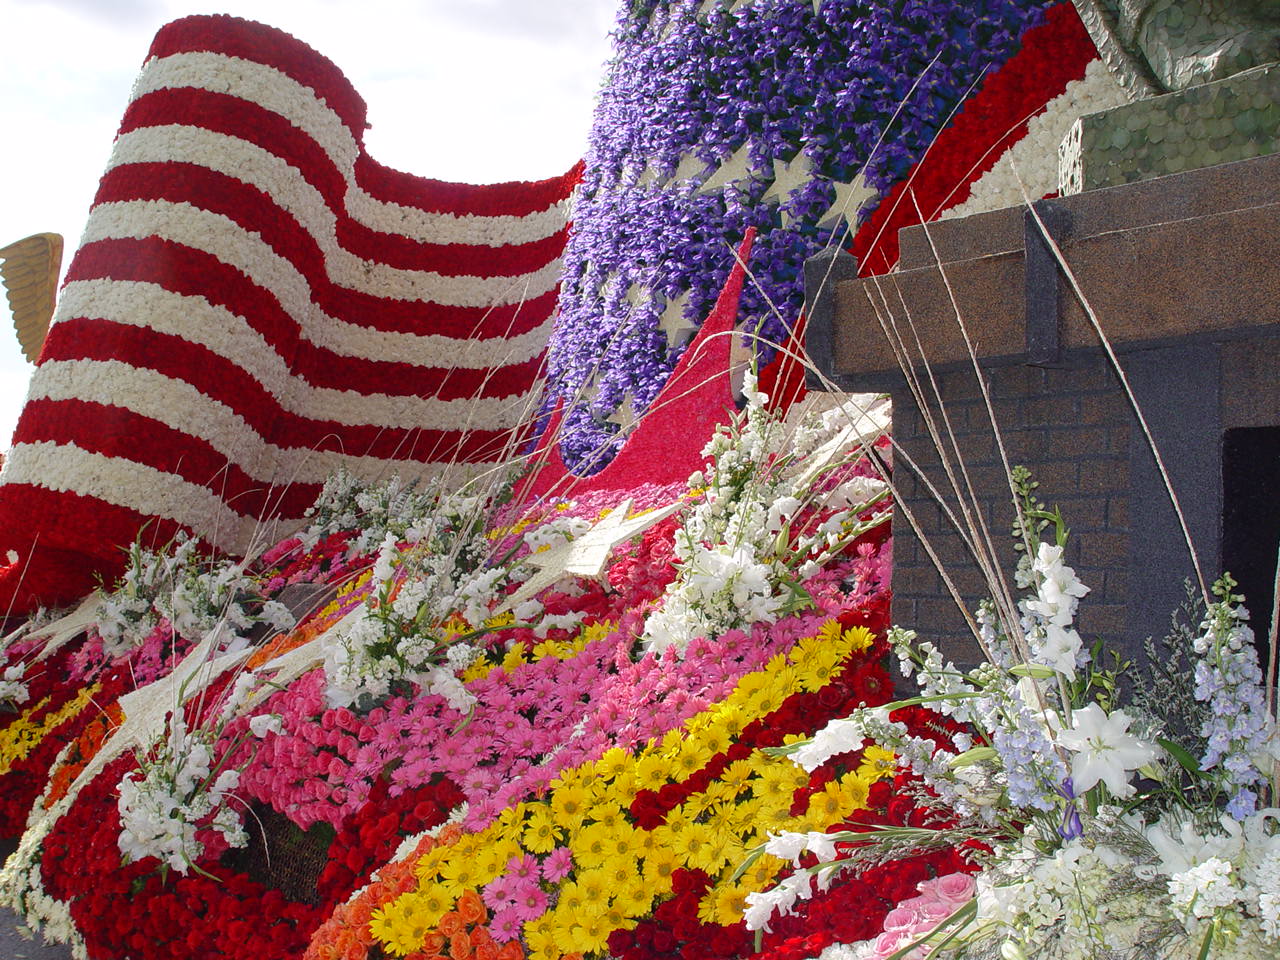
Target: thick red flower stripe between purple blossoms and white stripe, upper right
1054,54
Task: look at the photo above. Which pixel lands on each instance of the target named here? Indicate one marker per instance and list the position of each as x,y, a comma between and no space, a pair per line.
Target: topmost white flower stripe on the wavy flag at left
281,94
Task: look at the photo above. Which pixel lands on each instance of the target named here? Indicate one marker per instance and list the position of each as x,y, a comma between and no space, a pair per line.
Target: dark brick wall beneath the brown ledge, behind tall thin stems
1050,418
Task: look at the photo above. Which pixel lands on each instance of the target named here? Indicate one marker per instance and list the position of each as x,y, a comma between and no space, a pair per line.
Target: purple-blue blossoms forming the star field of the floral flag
784,79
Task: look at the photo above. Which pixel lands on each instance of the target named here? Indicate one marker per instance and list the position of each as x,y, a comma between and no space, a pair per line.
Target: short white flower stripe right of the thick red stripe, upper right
1035,157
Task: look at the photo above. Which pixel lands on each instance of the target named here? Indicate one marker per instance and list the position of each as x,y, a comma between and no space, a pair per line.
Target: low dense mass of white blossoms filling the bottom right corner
1128,888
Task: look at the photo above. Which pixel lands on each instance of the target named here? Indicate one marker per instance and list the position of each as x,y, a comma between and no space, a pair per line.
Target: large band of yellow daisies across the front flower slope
621,870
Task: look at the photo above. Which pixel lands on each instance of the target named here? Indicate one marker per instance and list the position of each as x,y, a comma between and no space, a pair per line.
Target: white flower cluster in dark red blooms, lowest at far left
172,797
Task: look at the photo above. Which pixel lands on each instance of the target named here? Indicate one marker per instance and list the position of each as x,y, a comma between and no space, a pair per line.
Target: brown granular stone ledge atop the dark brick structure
1185,255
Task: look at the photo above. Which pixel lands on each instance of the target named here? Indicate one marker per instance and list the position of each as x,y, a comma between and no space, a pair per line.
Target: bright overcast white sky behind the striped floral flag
464,90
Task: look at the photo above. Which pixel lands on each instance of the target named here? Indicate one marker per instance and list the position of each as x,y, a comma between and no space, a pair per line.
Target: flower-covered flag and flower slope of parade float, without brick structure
621,693
